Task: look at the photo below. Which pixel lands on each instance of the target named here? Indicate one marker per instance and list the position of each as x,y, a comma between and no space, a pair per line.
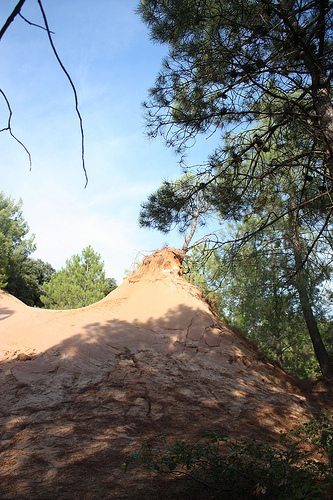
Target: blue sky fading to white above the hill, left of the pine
106,49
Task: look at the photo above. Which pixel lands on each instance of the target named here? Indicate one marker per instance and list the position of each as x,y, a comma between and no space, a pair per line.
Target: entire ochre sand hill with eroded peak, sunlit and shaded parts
81,389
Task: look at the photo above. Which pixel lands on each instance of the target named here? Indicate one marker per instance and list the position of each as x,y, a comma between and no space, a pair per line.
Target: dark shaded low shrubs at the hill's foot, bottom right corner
219,467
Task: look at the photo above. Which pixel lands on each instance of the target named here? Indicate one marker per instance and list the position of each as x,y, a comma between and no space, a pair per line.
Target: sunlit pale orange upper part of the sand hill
151,297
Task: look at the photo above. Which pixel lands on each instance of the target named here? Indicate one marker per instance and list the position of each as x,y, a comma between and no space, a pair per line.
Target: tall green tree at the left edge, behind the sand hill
14,246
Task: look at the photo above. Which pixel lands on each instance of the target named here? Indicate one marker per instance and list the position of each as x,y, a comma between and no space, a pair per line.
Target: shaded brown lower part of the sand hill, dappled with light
71,415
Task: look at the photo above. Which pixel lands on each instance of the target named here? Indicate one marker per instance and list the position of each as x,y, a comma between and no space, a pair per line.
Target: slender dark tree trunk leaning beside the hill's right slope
301,284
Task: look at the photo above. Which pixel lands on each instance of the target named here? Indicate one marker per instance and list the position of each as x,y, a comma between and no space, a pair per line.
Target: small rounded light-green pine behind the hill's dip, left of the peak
82,282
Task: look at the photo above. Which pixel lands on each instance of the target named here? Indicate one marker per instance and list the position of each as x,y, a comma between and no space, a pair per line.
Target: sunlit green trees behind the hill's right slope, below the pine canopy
248,291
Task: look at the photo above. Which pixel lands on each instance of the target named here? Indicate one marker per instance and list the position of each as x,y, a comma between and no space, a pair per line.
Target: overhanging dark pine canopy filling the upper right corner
251,72
